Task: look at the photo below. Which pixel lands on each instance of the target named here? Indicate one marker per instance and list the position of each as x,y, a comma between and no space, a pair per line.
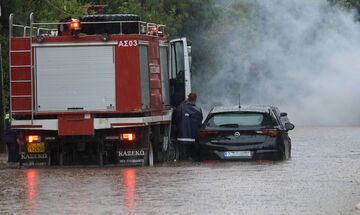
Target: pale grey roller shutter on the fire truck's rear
75,78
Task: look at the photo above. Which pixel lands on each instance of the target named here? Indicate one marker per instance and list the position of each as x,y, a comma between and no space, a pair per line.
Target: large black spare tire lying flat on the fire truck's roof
110,28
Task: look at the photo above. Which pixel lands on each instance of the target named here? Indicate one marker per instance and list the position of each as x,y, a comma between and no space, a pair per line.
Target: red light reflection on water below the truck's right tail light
129,180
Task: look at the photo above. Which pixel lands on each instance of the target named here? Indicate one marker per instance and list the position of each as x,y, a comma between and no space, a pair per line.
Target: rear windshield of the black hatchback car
237,119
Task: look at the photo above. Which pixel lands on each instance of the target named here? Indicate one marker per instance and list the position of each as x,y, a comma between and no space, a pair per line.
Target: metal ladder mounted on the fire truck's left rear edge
25,68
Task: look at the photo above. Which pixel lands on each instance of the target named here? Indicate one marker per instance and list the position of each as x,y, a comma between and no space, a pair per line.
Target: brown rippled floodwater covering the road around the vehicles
322,177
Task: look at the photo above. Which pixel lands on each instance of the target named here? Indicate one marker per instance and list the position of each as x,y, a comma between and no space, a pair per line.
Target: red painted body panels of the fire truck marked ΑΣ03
128,86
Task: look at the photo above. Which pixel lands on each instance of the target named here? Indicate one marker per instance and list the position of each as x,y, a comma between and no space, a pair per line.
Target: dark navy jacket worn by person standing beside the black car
188,121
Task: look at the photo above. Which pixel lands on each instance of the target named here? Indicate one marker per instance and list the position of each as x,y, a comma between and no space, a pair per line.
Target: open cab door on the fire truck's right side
180,73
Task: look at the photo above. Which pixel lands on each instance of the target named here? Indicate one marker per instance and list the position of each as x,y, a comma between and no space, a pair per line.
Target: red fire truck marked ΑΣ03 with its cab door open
97,90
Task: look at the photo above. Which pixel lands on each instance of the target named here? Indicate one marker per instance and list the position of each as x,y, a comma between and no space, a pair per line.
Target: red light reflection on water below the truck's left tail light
32,188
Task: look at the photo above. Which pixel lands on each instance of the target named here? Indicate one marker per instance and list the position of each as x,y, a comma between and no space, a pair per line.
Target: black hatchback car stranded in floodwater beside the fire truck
248,132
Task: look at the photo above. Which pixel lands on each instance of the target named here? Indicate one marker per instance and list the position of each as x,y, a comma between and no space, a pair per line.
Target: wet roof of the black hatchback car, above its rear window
243,108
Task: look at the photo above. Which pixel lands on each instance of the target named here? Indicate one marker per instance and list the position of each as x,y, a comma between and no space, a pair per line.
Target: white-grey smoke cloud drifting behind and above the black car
303,56
